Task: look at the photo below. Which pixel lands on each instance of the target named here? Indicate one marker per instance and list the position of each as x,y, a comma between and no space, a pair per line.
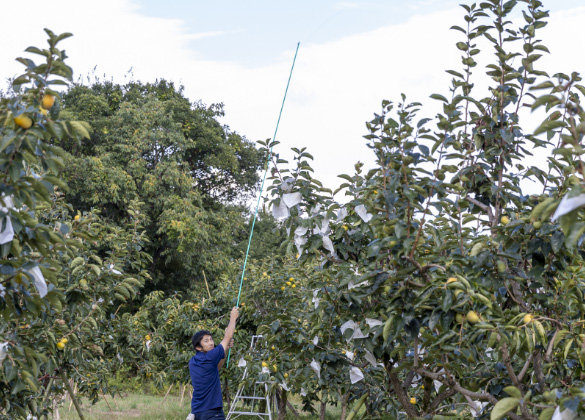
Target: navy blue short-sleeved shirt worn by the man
205,380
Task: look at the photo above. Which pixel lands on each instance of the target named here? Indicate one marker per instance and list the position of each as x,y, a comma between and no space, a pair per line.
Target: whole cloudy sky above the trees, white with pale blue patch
352,55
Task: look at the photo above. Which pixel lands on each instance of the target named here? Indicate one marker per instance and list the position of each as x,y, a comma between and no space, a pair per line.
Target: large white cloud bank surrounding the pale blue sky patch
335,88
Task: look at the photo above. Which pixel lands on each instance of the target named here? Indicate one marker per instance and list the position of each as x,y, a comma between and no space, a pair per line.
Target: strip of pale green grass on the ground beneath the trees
151,407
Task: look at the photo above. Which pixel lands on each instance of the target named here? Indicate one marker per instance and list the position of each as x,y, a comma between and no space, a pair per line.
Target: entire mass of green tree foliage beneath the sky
438,287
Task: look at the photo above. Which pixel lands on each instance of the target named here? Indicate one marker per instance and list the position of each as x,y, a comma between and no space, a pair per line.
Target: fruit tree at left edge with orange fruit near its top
63,273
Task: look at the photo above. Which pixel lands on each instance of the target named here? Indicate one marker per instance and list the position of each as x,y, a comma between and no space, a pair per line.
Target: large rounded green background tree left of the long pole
151,144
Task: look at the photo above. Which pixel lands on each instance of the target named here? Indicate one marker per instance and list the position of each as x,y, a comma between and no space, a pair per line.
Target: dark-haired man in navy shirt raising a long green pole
207,402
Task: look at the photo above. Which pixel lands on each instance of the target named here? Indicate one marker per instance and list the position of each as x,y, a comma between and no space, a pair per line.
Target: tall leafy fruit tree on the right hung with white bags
477,292
